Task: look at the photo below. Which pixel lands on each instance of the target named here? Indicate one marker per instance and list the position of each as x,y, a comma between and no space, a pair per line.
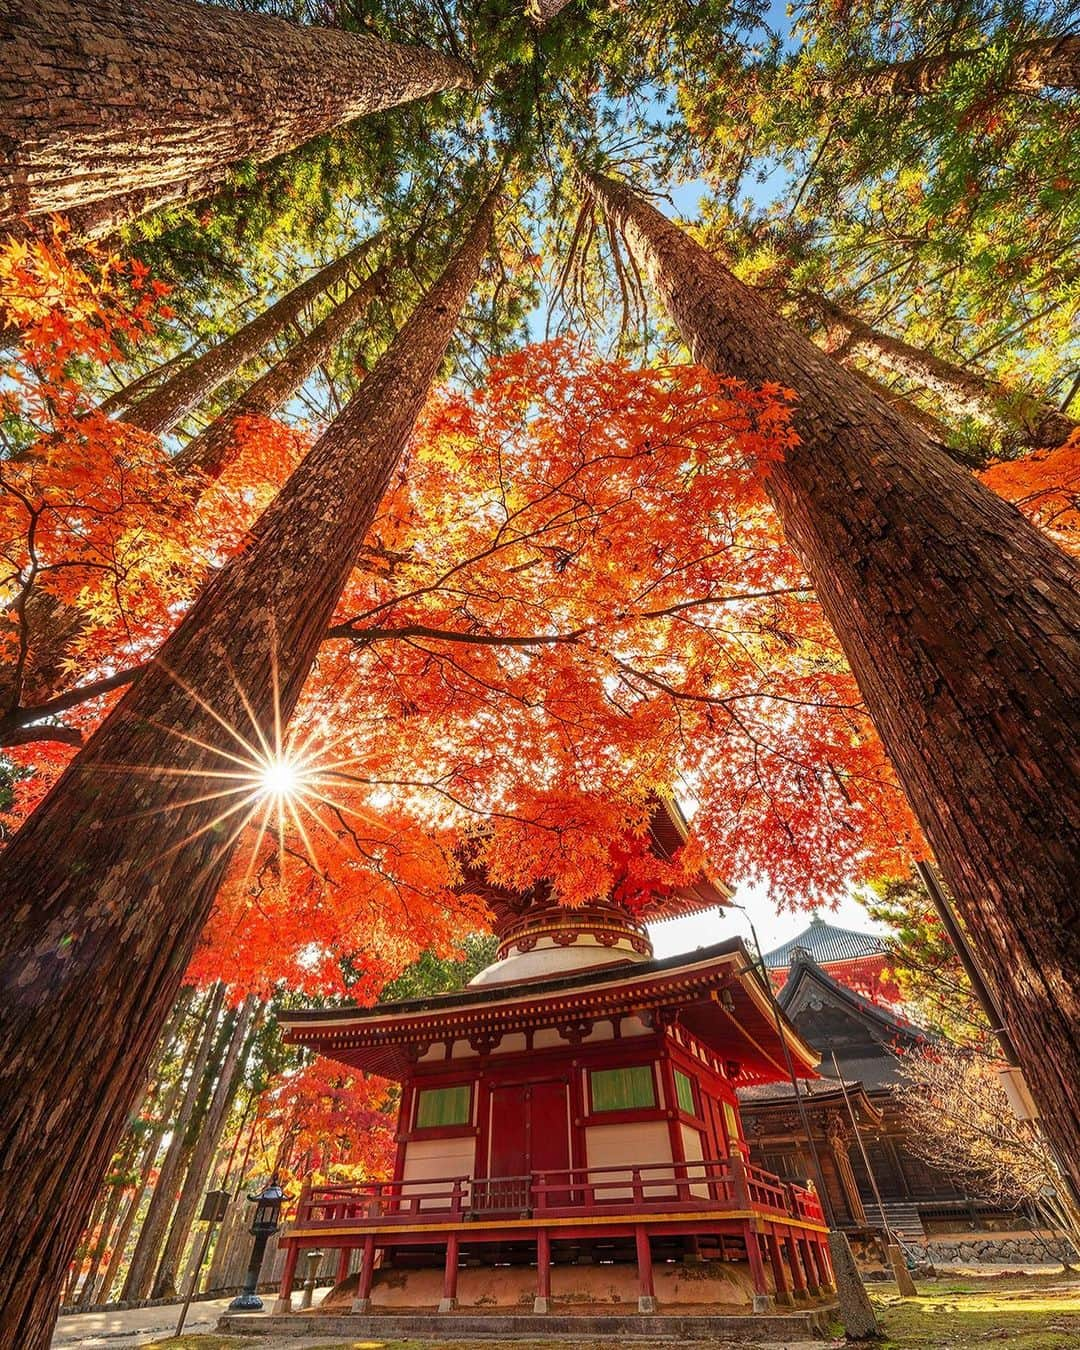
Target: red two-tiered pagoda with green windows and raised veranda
574,1108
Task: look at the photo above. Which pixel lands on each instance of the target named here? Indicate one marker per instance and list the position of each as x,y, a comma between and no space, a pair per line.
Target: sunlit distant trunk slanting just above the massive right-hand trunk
962,394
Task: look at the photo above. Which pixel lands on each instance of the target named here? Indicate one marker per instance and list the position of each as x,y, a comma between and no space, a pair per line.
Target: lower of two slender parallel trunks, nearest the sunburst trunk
209,453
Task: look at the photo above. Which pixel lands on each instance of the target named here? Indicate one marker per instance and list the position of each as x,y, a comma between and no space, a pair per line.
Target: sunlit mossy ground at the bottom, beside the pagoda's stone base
1025,1313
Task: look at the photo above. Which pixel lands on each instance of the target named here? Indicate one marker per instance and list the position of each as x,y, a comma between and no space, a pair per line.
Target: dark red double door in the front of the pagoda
530,1133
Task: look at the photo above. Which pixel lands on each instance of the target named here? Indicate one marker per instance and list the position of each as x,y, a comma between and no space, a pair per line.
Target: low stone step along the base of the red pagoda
805,1325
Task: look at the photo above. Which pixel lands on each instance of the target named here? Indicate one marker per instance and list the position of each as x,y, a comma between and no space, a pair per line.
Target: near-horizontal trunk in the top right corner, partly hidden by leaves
1036,65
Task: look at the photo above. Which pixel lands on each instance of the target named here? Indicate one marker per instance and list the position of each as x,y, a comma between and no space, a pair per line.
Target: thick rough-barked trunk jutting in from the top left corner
125,105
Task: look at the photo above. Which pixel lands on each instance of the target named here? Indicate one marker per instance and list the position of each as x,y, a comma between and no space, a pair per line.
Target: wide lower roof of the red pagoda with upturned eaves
387,1039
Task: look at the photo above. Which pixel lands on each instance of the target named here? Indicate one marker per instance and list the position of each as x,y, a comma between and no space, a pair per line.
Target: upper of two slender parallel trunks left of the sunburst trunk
161,410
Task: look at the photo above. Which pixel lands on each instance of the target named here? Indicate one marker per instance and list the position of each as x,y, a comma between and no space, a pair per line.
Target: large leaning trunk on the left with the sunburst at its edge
109,884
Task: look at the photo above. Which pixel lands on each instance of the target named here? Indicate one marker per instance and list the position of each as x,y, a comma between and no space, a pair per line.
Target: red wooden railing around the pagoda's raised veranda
634,1189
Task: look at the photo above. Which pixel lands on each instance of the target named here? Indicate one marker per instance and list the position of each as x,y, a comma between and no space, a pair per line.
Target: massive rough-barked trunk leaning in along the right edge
962,624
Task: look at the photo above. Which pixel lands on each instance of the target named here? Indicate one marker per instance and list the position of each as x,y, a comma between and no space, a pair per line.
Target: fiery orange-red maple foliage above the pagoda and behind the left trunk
576,596
